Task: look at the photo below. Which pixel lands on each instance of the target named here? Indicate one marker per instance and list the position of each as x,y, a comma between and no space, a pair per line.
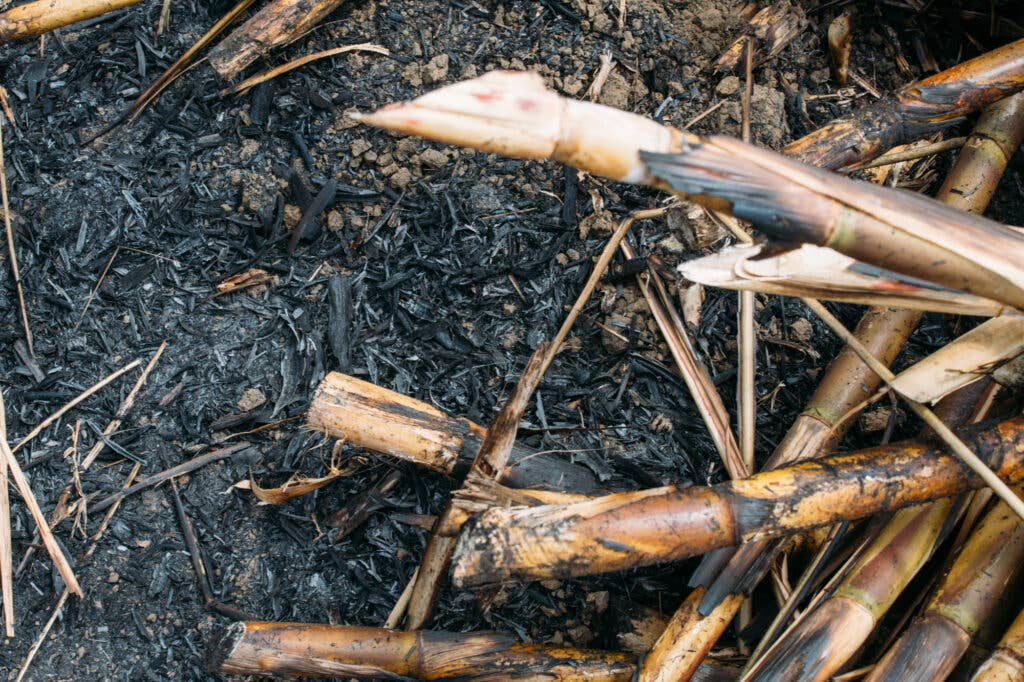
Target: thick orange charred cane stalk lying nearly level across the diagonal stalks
631,530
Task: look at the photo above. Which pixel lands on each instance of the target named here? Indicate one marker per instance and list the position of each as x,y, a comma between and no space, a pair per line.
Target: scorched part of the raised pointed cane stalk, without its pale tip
891,230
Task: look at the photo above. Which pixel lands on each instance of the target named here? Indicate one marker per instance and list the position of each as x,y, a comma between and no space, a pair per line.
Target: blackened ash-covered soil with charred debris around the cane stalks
460,263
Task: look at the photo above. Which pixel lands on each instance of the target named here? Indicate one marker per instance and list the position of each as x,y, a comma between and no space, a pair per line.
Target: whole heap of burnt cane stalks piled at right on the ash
867,523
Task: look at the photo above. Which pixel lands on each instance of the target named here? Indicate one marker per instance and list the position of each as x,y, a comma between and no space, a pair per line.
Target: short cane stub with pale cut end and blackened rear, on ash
381,420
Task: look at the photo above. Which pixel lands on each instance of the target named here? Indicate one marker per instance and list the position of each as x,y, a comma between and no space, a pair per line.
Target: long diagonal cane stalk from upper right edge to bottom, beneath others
707,613
